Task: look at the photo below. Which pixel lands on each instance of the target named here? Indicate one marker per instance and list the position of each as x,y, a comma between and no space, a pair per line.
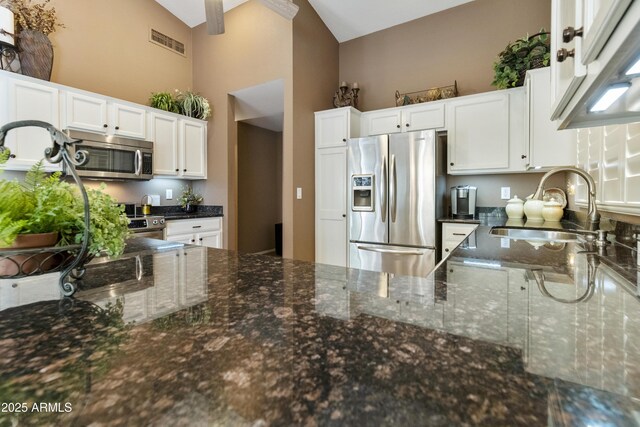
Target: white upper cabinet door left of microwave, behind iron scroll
29,101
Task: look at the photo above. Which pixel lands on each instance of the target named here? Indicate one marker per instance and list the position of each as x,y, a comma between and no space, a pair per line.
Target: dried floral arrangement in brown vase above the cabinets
33,16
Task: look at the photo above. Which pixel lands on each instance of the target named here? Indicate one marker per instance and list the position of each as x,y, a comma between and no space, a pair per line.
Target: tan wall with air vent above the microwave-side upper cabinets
105,48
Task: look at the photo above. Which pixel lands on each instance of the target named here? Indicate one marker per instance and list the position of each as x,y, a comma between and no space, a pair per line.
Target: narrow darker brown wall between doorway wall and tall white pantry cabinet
315,73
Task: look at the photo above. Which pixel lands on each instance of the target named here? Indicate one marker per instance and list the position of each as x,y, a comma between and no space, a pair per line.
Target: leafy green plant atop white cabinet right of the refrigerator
518,57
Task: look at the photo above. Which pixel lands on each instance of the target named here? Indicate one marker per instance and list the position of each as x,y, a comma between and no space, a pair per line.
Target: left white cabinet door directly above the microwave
85,112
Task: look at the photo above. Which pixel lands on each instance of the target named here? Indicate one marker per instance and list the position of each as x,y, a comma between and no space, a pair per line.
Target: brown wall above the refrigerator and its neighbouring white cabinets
457,44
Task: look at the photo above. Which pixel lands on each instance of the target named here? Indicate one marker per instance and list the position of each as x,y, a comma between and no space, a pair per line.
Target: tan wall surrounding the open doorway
256,48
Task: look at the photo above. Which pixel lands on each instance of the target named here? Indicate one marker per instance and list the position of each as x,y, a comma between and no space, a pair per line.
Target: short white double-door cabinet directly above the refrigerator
404,119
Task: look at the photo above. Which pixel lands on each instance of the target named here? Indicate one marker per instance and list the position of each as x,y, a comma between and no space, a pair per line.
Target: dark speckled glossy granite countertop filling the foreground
196,336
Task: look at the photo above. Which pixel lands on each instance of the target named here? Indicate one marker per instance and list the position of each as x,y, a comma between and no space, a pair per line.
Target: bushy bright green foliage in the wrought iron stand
46,205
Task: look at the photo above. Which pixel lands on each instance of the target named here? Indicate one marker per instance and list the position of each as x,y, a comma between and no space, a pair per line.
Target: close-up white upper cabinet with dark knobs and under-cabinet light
594,43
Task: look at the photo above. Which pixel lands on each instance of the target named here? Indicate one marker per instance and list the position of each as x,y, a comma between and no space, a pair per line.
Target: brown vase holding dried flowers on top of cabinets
36,54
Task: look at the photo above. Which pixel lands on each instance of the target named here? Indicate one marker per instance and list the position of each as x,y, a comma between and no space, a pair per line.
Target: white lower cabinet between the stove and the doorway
199,231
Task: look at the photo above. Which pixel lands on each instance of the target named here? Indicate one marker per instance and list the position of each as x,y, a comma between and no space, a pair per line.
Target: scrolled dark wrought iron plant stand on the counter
72,257
